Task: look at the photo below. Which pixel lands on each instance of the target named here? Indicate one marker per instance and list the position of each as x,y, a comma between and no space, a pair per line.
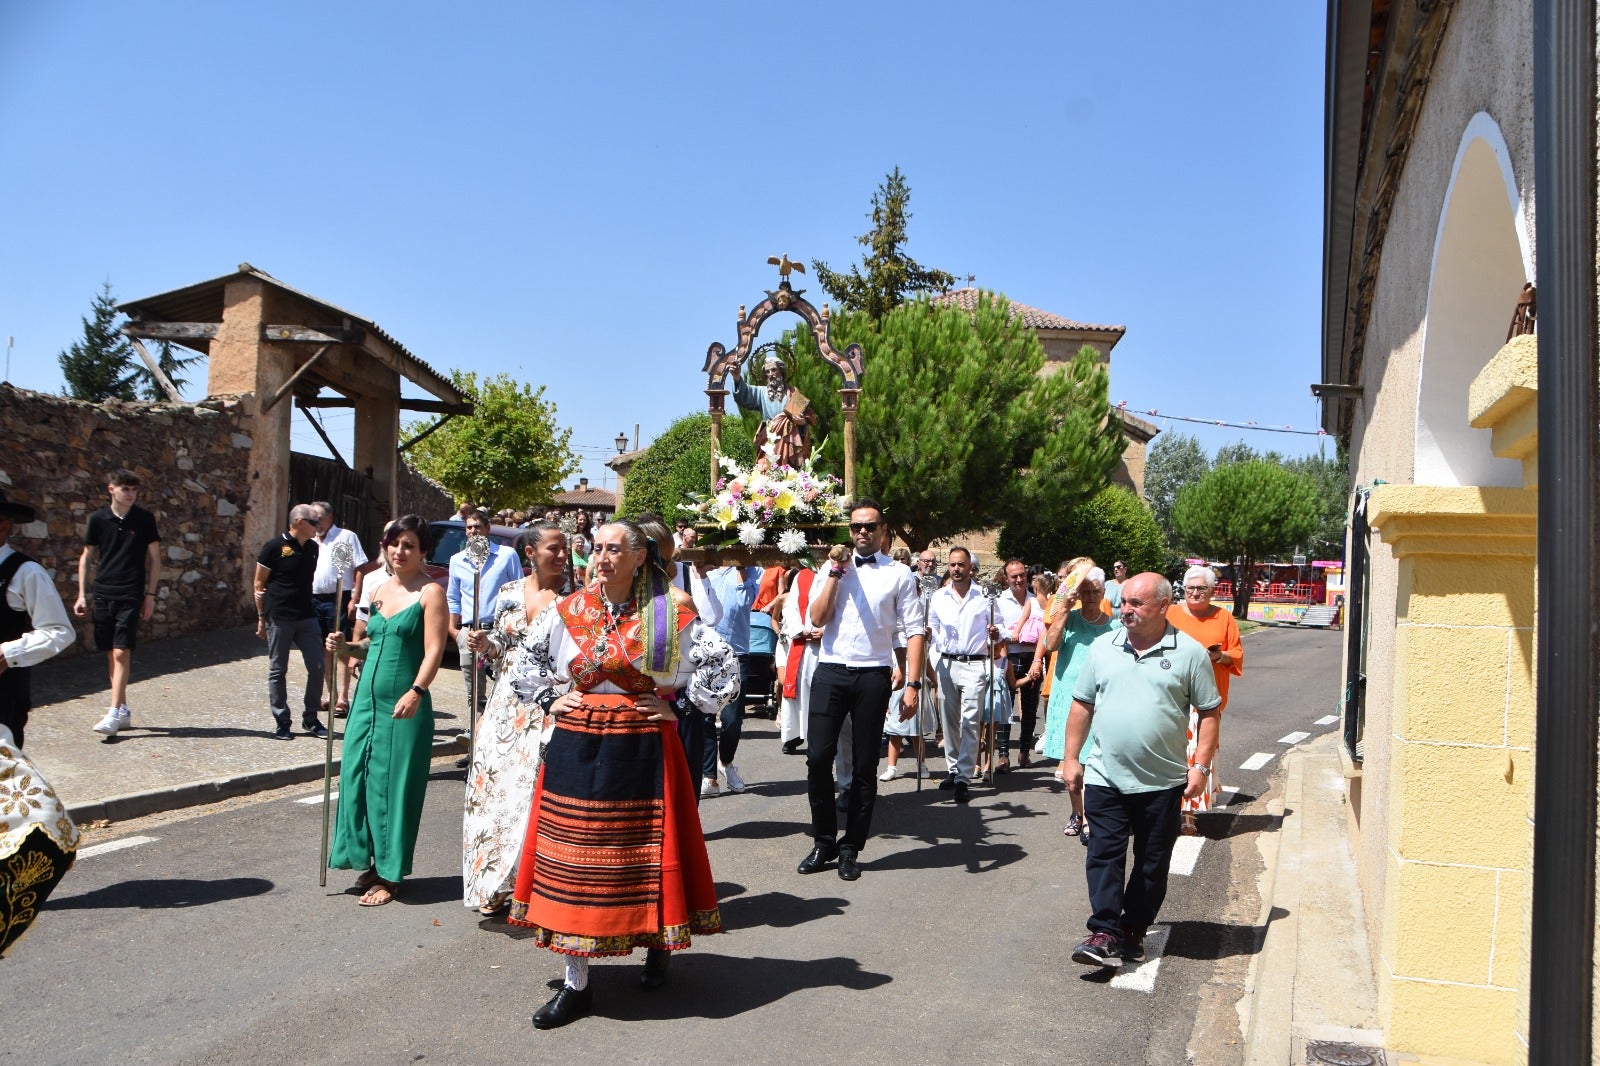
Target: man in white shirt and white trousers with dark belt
961,633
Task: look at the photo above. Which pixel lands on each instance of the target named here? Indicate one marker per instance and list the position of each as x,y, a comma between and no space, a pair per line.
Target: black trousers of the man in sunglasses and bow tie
863,695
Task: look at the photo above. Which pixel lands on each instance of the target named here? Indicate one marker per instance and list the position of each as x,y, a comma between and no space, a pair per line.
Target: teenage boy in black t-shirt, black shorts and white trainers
127,548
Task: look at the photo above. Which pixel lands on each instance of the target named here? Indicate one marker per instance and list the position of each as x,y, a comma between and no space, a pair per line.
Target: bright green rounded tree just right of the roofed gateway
508,454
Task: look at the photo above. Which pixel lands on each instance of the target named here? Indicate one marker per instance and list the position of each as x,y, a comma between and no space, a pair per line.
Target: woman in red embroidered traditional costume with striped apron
615,859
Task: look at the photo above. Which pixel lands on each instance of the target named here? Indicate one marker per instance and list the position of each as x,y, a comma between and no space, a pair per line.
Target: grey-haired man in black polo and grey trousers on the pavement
287,619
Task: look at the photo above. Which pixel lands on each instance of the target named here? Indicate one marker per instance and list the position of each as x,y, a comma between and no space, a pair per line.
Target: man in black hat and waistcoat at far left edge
34,623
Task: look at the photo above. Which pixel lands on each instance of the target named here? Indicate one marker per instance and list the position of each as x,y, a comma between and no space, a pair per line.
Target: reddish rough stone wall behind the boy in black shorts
193,462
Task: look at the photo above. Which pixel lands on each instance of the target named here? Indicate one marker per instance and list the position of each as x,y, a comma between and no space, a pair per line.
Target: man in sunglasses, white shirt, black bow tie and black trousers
858,603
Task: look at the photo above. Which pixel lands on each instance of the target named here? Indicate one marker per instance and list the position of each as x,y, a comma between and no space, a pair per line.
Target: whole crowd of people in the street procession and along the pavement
609,684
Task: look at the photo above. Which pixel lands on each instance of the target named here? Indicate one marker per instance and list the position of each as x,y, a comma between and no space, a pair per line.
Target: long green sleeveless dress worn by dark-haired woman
385,761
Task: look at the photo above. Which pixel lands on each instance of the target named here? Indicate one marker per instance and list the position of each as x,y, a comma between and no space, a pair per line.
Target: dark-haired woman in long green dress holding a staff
390,735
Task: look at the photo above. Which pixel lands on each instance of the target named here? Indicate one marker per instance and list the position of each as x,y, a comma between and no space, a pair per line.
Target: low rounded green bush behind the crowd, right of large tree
1113,524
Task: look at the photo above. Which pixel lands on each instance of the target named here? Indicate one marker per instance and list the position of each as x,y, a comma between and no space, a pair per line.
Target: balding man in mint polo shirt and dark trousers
1137,687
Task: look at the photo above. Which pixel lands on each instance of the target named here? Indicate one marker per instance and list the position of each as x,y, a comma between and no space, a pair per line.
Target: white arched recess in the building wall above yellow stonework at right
1481,265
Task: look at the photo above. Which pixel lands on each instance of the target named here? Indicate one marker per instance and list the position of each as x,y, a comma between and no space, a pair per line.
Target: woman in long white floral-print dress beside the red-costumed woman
510,734
